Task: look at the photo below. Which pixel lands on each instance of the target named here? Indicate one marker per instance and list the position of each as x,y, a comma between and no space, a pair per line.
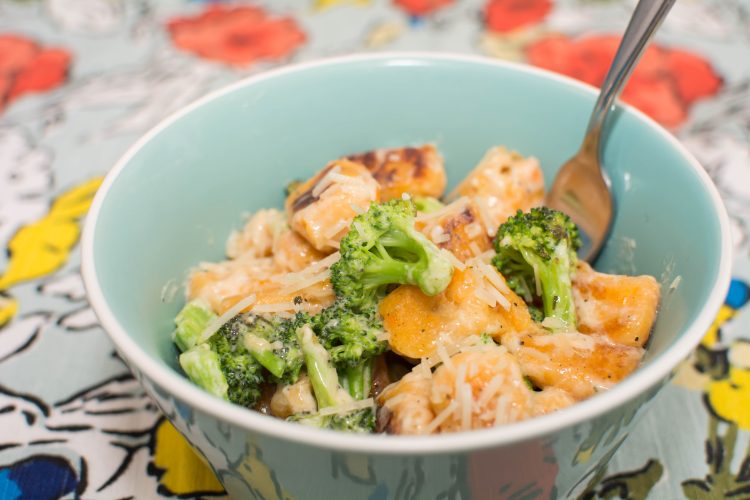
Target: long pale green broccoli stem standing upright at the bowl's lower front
323,376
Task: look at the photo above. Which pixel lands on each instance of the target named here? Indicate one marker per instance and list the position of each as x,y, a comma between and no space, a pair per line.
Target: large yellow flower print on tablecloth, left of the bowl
41,247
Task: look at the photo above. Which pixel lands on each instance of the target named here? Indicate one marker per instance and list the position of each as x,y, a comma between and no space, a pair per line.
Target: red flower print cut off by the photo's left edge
26,68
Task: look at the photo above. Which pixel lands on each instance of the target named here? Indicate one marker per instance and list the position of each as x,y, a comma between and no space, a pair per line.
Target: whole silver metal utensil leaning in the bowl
581,188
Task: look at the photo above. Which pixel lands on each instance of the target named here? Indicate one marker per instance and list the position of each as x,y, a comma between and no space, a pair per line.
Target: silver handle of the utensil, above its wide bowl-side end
646,18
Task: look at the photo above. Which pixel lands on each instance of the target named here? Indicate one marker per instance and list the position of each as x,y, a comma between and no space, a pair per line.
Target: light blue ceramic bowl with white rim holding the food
174,197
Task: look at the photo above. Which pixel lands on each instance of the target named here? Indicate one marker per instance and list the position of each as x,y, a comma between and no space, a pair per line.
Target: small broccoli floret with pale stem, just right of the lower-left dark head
273,343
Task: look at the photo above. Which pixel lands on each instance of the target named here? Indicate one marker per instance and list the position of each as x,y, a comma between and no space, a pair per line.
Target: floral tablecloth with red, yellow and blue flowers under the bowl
80,80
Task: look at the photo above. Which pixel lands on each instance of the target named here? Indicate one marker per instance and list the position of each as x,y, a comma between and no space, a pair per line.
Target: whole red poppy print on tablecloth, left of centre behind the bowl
238,35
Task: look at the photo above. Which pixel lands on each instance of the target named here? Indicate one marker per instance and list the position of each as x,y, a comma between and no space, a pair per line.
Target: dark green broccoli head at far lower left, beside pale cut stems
243,373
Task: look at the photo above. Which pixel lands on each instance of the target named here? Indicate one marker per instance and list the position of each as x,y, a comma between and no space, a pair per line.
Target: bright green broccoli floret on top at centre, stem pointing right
381,248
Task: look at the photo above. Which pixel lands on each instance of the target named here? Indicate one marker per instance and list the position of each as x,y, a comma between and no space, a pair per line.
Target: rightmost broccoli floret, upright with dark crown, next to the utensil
536,253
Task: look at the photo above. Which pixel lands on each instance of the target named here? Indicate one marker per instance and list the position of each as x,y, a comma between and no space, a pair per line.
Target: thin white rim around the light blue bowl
180,387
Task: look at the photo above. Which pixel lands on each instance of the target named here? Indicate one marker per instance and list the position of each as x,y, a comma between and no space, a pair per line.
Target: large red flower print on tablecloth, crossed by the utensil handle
664,85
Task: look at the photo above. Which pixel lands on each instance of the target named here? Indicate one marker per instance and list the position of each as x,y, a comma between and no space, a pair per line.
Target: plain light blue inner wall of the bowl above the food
187,185
